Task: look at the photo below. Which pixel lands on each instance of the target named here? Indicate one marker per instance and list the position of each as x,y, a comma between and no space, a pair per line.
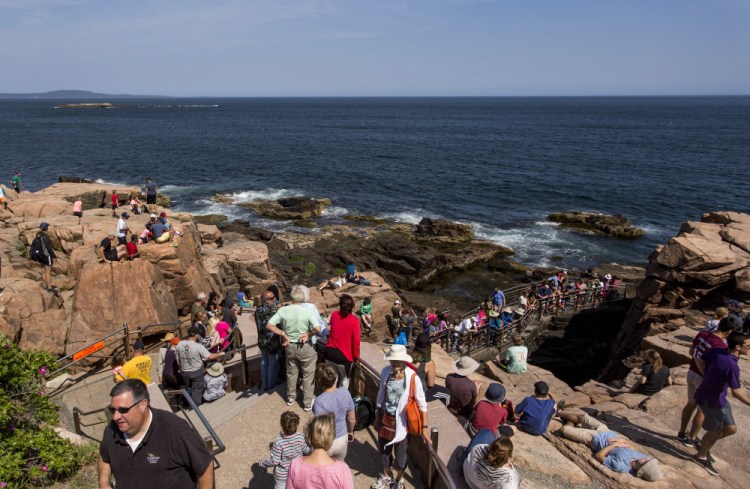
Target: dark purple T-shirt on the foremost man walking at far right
722,371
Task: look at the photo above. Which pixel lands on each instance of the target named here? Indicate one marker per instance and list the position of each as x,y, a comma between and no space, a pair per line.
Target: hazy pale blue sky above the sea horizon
377,48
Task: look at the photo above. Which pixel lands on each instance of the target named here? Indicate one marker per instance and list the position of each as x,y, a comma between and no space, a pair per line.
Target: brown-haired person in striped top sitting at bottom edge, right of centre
490,466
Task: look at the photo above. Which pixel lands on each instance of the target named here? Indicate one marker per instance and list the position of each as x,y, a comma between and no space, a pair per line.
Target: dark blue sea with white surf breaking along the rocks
500,164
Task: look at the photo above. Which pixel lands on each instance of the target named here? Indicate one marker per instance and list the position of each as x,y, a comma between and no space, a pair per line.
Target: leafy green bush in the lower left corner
32,453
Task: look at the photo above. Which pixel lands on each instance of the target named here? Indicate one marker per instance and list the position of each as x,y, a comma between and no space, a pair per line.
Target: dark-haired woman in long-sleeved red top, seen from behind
343,341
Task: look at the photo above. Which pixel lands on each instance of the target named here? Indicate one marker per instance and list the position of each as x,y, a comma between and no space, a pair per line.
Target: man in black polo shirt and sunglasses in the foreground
150,448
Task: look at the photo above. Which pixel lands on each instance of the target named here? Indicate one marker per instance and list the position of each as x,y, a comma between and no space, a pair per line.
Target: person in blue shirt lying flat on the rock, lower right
610,448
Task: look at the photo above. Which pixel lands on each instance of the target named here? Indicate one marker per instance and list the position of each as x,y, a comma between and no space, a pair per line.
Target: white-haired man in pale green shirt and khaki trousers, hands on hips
296,324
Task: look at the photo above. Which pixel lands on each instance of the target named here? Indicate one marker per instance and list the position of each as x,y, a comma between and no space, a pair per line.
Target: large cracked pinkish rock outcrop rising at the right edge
696,271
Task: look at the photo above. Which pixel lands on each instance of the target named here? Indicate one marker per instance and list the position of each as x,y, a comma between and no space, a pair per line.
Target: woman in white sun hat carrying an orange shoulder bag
395,380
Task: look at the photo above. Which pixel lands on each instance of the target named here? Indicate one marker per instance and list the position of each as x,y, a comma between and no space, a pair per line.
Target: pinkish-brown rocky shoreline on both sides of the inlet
707,263
